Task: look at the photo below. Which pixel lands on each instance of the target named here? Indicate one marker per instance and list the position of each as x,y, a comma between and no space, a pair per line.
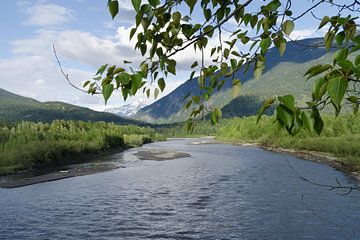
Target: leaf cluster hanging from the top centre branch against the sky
163,31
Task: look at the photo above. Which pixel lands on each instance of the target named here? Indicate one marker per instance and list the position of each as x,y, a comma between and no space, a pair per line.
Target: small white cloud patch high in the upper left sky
46,14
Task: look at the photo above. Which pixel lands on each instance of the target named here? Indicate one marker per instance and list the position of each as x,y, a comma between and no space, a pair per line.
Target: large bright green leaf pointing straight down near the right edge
336,89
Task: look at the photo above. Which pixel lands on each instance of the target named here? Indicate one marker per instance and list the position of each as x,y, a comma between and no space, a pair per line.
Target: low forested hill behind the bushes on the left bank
15,108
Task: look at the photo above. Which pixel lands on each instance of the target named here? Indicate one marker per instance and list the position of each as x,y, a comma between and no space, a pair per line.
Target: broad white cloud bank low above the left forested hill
33,71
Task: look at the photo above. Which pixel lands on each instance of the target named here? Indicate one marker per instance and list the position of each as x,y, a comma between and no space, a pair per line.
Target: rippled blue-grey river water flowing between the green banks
220,192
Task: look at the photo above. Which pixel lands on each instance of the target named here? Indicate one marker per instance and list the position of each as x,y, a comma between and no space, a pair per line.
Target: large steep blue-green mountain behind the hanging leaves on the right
282,74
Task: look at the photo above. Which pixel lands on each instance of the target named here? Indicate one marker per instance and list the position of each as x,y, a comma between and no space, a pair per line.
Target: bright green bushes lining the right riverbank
340,139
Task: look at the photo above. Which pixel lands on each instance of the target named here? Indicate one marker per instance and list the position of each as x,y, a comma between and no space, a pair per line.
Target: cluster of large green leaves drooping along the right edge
333,82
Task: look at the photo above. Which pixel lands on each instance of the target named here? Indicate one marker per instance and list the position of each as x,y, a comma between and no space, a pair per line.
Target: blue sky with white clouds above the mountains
85,37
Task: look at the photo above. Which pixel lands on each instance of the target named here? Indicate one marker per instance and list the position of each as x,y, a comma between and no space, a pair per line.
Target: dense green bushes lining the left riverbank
28,145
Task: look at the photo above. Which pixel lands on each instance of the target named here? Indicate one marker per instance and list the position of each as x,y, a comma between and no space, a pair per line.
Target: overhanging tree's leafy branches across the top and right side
162,31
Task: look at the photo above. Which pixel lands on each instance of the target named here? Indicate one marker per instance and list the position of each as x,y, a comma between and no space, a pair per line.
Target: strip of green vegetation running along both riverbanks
27,146
